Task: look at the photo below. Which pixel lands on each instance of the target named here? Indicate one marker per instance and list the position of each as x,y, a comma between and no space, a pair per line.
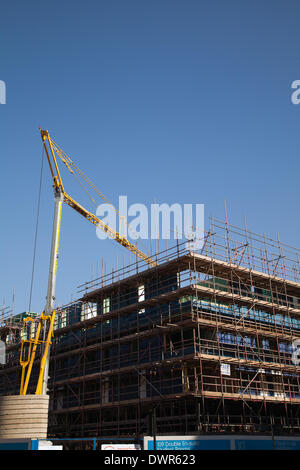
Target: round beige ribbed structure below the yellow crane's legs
24,416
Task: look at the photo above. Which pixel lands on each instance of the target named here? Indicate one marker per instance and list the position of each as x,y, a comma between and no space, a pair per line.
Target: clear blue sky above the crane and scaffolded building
169,100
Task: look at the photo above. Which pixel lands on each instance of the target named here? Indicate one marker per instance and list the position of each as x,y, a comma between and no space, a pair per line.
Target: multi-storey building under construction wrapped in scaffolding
204,342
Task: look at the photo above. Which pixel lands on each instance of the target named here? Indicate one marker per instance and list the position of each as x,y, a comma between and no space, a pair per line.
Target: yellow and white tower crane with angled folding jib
46,320
